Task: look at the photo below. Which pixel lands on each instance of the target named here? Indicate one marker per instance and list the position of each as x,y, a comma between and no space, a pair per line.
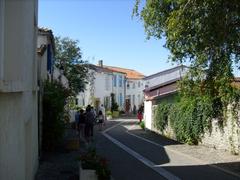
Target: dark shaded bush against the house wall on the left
54,99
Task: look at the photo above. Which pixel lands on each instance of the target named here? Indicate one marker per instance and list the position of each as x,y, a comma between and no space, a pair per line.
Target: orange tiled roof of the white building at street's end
130,73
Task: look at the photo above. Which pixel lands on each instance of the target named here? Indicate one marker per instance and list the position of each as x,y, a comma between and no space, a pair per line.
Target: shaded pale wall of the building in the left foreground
18,90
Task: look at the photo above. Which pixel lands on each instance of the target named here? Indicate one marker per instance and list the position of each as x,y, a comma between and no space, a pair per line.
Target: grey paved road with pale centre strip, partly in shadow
133,157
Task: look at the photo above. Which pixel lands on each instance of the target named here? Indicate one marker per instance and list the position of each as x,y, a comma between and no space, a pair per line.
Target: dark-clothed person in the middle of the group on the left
89,123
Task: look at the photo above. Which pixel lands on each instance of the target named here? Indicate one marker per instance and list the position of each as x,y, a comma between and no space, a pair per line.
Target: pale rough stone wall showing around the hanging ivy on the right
225,137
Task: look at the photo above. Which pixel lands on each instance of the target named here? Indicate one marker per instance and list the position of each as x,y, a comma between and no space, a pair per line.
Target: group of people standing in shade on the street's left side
85,121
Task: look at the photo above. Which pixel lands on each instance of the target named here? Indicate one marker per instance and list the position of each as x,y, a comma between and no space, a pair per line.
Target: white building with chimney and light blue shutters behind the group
102,82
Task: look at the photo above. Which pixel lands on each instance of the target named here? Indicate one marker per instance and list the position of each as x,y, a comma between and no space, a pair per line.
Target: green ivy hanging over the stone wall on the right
191,114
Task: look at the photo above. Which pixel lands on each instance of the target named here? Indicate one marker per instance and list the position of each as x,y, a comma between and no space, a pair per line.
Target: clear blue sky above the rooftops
106,31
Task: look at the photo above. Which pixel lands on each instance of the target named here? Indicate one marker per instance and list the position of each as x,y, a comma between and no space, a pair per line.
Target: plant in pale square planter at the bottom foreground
93,167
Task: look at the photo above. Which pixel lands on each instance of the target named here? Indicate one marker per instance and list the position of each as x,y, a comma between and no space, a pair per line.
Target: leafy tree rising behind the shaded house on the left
69,58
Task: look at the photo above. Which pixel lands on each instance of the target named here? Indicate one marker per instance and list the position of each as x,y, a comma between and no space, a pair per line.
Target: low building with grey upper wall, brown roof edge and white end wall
159,86
